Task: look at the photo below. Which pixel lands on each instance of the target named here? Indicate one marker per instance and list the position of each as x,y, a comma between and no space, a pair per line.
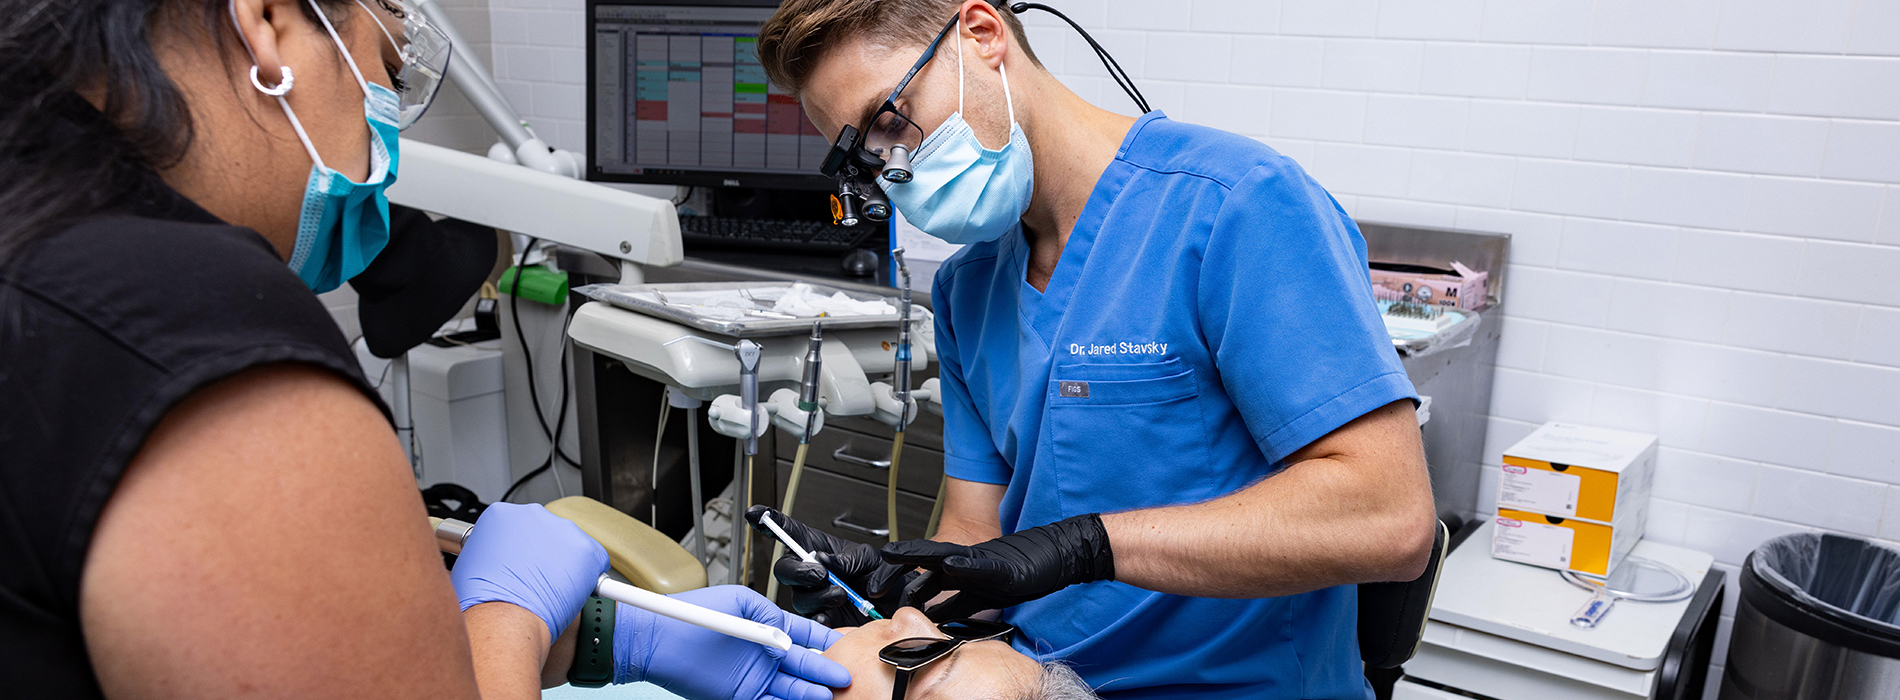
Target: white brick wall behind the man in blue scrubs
1705,201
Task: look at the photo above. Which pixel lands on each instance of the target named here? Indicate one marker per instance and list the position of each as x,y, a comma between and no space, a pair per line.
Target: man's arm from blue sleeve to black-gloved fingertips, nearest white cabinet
1354,507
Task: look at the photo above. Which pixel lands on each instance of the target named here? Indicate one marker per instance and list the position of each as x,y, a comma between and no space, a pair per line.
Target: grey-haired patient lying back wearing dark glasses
978,671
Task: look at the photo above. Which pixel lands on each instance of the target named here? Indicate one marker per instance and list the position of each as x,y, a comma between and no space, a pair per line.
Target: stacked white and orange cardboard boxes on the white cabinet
1574,497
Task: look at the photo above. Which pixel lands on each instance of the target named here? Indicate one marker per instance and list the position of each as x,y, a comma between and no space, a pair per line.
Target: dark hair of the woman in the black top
62,159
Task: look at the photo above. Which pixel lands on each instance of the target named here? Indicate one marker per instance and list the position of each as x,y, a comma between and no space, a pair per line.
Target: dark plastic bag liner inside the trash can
1836,589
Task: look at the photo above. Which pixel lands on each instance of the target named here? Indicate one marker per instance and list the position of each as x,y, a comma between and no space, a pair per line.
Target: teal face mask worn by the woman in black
343,224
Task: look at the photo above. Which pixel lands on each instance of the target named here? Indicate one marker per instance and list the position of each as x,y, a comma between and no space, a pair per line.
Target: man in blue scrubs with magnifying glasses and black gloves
1177,431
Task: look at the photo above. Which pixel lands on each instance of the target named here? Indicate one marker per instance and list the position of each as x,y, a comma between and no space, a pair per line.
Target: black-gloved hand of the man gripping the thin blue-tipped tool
860,566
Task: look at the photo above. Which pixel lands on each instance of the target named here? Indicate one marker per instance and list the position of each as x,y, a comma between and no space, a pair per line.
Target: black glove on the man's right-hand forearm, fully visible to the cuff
1010,570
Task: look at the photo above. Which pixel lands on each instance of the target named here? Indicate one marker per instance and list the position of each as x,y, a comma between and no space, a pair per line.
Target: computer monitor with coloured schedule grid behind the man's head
677,96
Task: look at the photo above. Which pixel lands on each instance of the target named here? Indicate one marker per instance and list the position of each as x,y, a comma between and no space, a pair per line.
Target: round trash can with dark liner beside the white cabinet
1819,619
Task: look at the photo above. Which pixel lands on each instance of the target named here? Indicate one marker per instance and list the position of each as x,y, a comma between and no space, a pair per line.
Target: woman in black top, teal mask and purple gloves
200,494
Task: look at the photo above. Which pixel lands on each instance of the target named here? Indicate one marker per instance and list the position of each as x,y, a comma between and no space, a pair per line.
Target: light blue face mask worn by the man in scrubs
962,191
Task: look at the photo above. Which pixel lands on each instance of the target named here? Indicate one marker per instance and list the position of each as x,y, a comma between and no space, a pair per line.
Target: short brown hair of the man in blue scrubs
793,41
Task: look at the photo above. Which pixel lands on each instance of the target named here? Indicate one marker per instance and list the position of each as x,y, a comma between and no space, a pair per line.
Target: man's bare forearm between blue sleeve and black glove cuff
1354,507
